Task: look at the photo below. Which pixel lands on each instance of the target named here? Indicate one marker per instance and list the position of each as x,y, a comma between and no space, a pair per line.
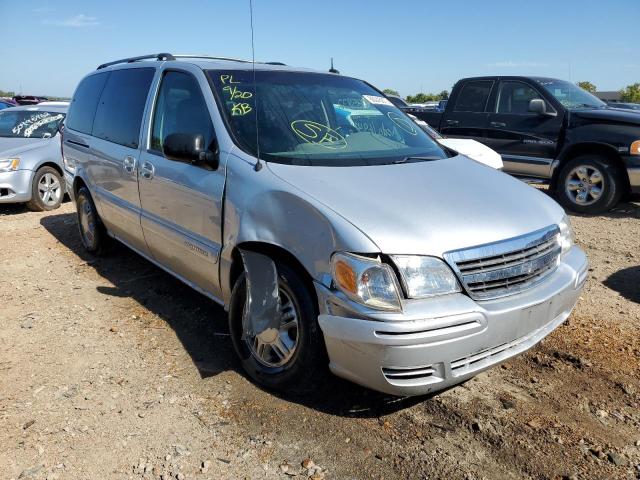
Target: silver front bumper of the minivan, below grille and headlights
437,343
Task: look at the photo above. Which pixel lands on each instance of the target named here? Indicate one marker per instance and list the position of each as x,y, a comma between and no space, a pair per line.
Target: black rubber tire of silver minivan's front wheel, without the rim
309,359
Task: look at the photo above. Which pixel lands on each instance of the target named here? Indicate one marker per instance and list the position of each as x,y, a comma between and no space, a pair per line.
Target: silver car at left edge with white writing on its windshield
31,169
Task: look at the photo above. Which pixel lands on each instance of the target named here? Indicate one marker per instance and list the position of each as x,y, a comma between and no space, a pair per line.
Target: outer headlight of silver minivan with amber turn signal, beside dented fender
367,281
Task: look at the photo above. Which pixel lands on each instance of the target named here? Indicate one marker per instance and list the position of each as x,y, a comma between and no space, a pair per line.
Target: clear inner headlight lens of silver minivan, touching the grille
425,276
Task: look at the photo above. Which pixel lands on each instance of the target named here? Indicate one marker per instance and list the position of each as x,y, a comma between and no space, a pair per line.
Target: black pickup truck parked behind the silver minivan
549,129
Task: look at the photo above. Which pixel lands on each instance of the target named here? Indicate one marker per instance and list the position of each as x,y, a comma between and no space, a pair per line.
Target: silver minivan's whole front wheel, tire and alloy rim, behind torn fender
291,361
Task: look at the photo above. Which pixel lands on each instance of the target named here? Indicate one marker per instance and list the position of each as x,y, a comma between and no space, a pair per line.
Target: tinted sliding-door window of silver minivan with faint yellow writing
121,106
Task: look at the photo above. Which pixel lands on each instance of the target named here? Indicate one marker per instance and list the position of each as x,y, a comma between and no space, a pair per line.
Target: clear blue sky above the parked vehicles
406,45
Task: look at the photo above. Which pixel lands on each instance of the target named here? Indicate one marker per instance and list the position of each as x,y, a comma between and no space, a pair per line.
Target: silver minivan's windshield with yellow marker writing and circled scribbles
318,119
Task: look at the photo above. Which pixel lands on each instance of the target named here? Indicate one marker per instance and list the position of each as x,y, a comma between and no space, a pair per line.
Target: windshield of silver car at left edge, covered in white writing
29,123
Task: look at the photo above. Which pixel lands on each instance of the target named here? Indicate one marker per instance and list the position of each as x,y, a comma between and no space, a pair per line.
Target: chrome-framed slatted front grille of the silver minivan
503,268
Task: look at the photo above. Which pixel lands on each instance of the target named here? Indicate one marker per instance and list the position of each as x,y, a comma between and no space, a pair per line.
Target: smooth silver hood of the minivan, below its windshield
427,208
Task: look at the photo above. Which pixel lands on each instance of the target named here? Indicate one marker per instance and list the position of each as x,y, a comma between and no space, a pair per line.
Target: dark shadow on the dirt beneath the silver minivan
201,325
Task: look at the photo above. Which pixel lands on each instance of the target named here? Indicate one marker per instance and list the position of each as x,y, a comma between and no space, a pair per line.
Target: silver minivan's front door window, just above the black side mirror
180,108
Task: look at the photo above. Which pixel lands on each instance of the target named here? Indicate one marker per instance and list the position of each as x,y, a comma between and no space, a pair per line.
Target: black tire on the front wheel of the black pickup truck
612,185
